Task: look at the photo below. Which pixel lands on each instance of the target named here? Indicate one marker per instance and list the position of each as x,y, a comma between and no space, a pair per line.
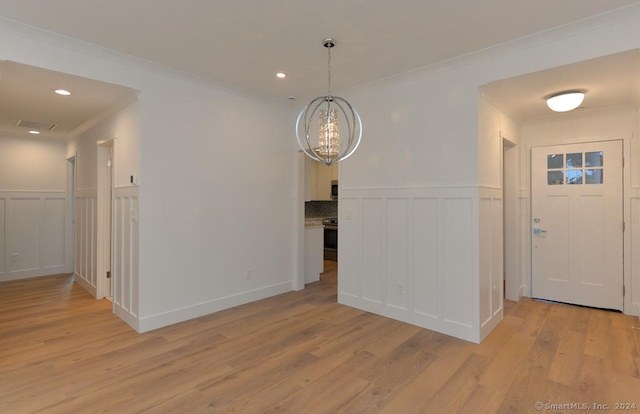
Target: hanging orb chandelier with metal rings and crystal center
317,129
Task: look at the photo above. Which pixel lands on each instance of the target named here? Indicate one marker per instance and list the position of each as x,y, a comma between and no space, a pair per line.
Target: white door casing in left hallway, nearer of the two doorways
104,214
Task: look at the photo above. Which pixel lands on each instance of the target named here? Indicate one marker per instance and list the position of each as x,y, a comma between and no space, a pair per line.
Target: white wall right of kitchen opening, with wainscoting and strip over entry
422,139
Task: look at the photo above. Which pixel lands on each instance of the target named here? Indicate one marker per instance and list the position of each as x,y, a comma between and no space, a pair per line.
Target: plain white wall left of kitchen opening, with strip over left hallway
215,171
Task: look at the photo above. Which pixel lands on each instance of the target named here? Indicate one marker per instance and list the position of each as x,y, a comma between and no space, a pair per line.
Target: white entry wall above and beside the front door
620,123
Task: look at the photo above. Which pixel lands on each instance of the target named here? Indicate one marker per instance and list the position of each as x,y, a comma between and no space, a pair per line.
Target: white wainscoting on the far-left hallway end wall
32,233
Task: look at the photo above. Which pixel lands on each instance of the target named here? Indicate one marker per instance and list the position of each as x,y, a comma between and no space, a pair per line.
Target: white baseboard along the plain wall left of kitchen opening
160,320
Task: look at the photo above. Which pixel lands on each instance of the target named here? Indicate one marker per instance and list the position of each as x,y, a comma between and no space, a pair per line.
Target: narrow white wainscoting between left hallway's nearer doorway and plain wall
125,254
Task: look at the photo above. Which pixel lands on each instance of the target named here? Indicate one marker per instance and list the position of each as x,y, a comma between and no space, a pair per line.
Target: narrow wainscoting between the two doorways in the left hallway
86,223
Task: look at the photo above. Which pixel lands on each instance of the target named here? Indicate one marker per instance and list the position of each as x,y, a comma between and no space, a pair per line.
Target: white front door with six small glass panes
577,228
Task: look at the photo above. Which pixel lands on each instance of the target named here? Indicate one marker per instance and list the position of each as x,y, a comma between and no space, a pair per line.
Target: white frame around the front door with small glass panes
626,214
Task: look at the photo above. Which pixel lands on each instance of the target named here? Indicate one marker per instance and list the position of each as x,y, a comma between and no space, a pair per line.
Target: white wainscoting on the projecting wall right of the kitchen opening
414,254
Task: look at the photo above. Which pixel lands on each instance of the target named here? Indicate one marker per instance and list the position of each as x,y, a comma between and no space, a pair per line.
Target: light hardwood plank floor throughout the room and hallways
61,351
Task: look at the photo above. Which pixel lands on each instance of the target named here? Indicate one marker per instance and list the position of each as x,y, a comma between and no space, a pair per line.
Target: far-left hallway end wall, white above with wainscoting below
32,206
